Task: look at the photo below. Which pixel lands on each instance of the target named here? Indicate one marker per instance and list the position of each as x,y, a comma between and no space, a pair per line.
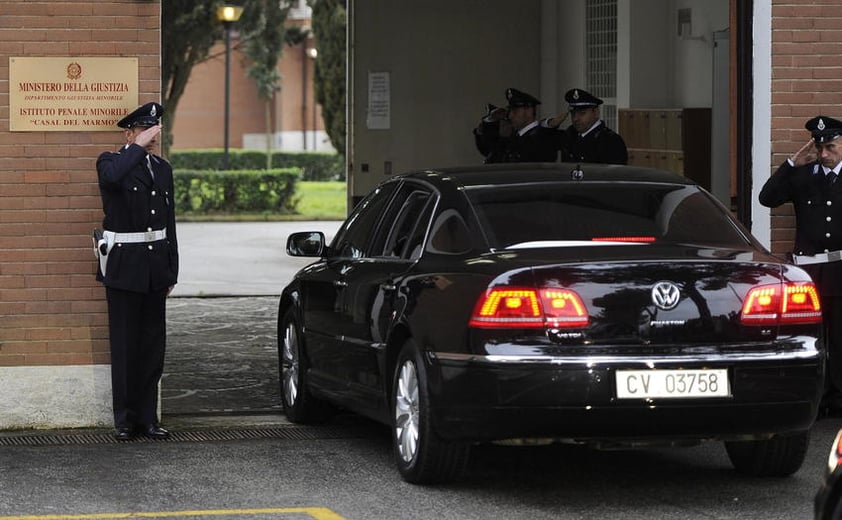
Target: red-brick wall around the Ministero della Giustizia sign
52,310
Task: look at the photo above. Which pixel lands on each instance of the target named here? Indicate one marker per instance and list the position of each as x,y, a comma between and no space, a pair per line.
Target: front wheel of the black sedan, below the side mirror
299,404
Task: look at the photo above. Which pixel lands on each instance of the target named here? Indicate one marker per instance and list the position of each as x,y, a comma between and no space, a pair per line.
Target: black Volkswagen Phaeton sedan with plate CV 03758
607,305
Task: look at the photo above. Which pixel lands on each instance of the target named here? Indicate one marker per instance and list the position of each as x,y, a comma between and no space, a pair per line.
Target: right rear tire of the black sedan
780,456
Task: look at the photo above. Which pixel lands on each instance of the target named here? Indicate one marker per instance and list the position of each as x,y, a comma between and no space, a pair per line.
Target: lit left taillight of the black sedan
525,307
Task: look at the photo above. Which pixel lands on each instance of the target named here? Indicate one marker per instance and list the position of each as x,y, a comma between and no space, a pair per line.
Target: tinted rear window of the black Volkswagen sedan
529,215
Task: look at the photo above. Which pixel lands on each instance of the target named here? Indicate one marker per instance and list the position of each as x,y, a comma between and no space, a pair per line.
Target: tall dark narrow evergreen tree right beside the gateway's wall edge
329,21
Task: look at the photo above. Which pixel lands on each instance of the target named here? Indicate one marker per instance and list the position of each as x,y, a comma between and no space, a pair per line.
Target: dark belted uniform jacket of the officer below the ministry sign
133,202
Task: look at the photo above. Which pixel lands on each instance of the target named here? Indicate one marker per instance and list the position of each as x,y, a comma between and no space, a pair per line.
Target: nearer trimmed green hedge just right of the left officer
235,191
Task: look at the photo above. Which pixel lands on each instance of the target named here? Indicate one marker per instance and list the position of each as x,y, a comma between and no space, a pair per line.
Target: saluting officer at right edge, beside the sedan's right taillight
807,179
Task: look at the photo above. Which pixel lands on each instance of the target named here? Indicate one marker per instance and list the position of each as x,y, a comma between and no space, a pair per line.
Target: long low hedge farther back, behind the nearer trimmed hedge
314,166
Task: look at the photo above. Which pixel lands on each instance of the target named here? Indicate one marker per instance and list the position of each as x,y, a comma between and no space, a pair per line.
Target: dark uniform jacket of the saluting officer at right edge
818,217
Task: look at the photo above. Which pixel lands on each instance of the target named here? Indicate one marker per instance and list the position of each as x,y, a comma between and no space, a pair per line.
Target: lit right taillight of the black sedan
782,303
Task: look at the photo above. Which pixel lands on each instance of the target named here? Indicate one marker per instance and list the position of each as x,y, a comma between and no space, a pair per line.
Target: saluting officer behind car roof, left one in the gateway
528,142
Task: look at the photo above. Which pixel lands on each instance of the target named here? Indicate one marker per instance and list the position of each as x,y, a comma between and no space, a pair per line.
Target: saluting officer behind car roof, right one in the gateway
587,139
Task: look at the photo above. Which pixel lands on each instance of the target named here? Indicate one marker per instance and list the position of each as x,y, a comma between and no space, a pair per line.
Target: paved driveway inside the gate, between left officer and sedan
222,356
